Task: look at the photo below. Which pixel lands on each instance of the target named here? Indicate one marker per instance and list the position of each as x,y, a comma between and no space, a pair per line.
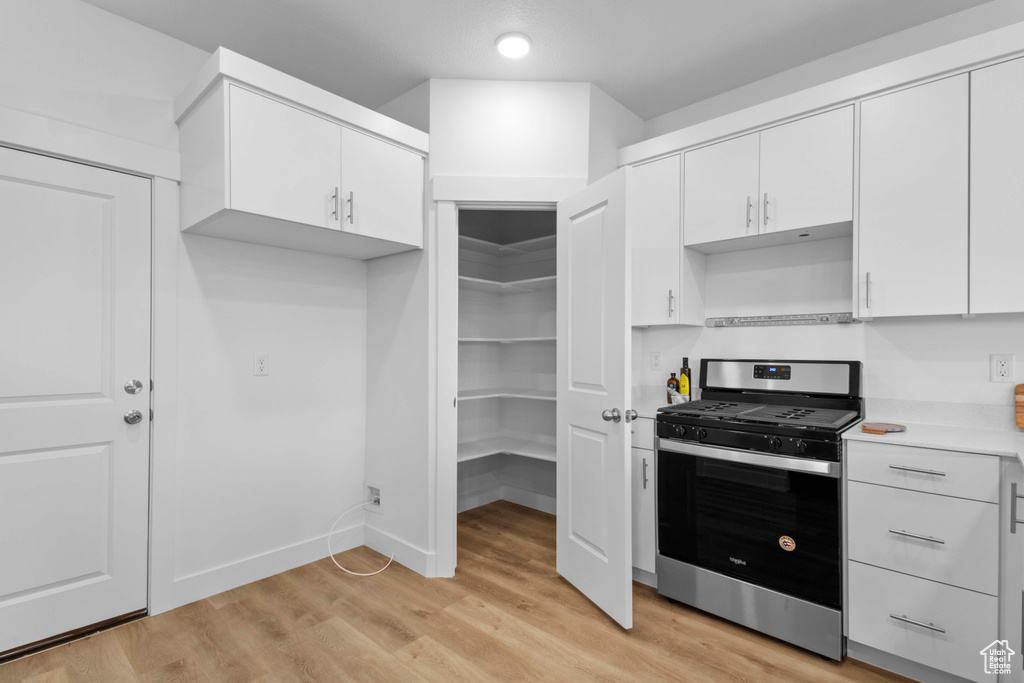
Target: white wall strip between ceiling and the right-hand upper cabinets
895,47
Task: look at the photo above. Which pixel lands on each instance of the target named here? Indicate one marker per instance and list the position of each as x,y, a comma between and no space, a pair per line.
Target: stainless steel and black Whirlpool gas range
749,497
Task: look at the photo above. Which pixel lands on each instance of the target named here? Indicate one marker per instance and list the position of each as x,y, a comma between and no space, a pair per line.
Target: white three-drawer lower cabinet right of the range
930,557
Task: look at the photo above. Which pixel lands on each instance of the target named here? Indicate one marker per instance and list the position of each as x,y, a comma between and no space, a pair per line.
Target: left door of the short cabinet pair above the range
720,191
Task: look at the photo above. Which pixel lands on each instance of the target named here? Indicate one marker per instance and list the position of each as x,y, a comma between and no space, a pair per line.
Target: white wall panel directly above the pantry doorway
509,130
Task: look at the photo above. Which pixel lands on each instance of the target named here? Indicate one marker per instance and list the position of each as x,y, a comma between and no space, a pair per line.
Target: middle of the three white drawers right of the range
962,544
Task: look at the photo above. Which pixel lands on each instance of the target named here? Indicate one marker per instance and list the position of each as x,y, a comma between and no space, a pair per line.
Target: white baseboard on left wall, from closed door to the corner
211,582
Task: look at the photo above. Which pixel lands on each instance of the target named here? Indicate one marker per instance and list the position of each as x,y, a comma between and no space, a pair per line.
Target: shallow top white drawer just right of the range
946,473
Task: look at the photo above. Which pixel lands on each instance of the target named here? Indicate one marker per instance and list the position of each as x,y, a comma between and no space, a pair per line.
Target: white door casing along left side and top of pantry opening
450,194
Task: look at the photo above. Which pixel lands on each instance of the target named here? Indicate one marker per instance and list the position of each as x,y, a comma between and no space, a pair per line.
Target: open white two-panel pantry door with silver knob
594,540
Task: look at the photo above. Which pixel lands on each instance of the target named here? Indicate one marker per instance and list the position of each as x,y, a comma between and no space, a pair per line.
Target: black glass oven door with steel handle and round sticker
770,521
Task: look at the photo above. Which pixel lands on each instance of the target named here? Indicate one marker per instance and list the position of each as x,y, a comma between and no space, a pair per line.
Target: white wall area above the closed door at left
73,63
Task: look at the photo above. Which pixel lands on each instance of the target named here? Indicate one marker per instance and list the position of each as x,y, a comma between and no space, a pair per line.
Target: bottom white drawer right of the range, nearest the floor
967,620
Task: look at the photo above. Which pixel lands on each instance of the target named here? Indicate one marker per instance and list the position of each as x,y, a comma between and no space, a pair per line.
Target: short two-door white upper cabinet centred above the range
791,178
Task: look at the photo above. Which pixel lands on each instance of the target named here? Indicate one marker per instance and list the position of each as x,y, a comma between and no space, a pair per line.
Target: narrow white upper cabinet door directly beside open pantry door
655,205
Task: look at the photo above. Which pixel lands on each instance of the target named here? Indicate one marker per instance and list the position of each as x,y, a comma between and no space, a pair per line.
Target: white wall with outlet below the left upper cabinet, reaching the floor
265,464
